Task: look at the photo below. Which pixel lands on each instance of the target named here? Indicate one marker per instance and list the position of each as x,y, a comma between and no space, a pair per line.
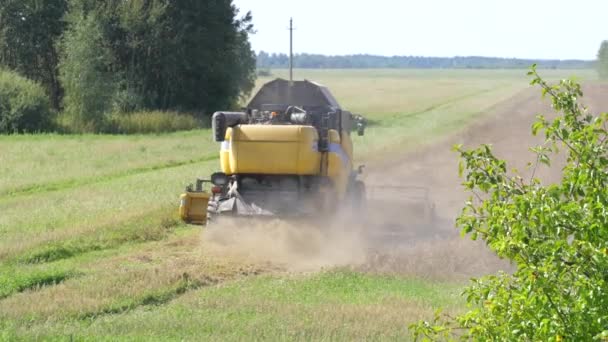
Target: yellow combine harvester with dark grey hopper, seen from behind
289,153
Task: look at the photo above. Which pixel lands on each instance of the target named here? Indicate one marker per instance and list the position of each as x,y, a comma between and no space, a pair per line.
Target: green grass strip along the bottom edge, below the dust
339,304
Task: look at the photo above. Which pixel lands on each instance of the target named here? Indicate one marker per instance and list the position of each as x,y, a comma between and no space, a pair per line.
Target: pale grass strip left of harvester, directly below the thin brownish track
38,218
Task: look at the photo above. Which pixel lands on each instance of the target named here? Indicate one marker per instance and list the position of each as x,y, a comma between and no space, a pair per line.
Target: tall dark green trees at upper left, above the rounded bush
95,57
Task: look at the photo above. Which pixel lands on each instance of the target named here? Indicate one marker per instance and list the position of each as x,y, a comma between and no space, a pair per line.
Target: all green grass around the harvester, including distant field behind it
90,247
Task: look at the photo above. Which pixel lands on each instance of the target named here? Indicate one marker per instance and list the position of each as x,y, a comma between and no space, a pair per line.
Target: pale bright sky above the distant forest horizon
557,29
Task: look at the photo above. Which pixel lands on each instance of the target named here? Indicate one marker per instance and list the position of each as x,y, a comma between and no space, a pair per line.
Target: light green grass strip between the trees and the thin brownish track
32,162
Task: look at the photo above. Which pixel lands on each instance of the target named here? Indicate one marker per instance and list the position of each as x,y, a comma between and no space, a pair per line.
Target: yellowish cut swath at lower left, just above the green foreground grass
119,280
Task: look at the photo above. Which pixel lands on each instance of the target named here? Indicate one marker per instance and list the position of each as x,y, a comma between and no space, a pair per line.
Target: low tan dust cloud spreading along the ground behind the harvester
355,242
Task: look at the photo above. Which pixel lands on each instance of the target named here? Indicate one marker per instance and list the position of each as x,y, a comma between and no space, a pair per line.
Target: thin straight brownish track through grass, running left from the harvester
74,183
